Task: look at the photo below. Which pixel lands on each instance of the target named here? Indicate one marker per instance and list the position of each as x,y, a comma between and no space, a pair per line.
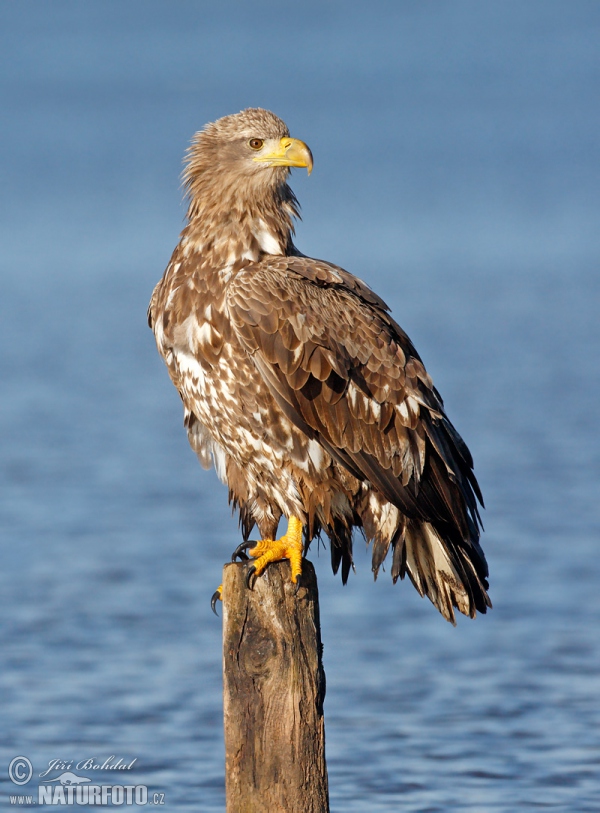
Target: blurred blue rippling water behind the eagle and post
456,170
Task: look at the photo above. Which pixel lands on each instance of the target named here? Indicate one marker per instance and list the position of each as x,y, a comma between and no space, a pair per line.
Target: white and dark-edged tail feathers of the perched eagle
450,576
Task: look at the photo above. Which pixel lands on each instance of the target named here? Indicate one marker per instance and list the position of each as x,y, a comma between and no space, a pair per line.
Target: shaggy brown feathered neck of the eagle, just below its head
235,226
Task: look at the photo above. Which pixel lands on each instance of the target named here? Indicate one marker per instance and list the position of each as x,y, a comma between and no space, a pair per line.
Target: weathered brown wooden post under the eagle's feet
274,686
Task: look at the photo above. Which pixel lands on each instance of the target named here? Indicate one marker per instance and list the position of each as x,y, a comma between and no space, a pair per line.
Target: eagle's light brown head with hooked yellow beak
242,162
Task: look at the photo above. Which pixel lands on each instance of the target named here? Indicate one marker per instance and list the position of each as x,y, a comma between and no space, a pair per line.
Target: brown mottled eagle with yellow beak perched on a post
301,389
